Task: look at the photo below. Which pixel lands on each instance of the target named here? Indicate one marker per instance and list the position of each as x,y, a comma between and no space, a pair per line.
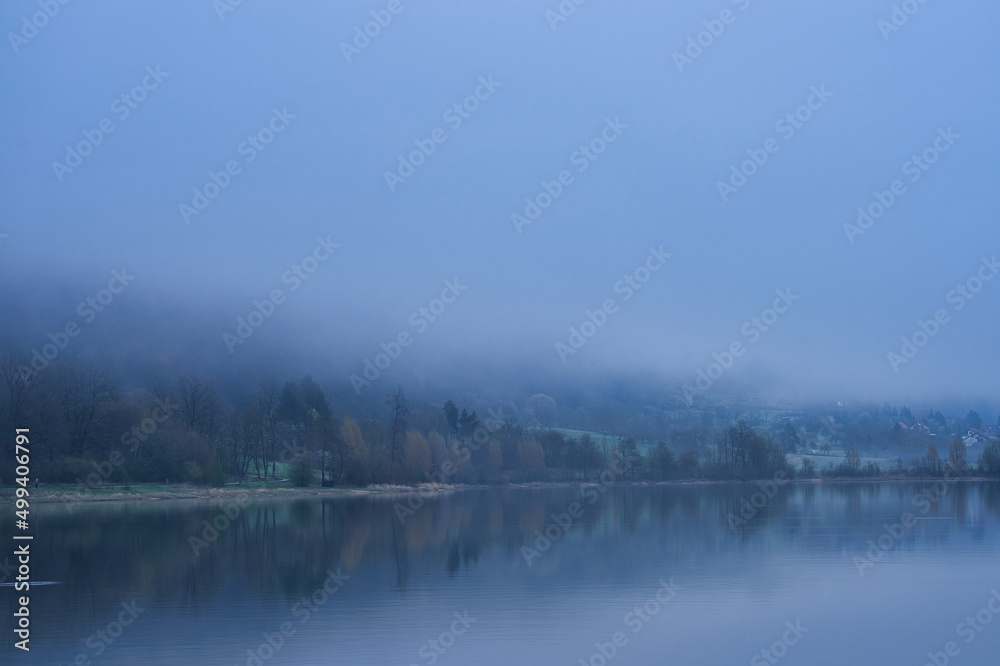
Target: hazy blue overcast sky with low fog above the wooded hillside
666,121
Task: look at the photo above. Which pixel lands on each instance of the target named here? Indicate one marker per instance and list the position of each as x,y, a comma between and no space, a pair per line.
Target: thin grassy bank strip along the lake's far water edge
159,493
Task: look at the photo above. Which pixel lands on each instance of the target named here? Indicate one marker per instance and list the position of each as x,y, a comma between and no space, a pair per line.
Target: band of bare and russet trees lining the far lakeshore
93,433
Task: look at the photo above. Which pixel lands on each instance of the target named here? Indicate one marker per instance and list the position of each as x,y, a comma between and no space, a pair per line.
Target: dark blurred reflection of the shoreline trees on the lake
281,550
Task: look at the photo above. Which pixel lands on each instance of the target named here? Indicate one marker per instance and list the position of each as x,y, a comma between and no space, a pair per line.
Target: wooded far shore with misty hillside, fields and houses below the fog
96,433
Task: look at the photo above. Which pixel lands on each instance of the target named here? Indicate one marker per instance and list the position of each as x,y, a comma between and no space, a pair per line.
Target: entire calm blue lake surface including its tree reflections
818,574
